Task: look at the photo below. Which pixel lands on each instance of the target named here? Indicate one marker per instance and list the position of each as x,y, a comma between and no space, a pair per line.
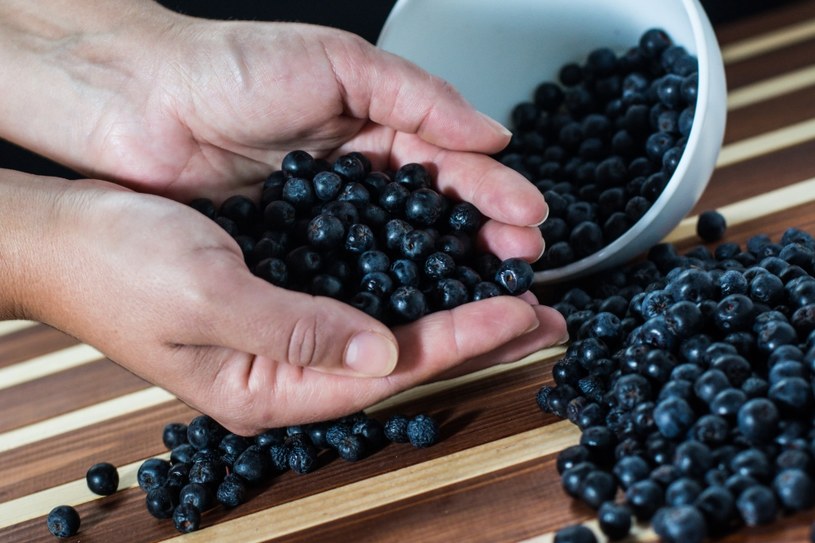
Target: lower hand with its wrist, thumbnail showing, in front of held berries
164,291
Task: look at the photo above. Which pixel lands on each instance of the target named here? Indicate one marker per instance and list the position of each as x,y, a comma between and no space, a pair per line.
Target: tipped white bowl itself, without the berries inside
495,52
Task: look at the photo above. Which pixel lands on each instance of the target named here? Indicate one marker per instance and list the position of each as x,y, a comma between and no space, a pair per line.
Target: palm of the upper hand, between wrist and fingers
220,112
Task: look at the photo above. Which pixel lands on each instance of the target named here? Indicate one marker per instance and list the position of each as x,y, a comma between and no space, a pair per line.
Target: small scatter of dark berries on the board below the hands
210,466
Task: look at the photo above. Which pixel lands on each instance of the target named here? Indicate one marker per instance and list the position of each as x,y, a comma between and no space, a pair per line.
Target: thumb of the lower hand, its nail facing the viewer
302,330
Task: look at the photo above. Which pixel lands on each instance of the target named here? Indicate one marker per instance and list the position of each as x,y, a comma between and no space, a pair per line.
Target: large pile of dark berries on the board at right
691,379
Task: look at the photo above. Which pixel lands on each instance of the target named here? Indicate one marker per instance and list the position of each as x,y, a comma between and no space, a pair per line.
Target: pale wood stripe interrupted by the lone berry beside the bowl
751,209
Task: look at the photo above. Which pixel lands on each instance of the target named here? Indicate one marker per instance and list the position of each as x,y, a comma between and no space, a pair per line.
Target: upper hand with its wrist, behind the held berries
186,107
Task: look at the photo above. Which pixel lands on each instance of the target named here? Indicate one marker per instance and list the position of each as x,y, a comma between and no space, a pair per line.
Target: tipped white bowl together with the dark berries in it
617,109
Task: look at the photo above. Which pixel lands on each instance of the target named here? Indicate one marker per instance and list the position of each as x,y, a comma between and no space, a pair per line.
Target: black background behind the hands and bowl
363,17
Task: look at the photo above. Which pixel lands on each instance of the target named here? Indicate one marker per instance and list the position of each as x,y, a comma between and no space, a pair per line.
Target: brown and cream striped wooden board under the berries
492,478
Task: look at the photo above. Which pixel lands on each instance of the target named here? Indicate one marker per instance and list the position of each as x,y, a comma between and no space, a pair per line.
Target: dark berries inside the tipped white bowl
602,143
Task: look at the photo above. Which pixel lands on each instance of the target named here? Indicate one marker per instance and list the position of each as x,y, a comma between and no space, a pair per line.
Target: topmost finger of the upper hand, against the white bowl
394,92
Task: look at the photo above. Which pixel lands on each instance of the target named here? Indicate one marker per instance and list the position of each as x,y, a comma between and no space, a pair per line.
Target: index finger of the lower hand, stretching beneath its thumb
251,393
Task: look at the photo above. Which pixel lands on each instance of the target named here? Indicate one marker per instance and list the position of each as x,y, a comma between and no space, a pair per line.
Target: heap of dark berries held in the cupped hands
386,243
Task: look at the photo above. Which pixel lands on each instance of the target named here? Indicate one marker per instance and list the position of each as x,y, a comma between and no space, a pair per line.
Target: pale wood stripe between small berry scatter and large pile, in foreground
390,487
